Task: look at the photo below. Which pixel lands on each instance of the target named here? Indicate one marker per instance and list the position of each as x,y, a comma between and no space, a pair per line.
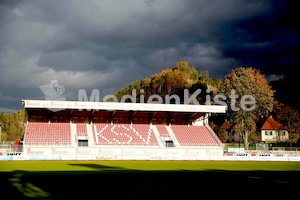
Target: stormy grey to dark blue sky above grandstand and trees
108,44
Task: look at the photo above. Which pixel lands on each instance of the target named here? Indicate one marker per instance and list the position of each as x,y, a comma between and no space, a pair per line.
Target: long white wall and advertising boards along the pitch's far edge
132,153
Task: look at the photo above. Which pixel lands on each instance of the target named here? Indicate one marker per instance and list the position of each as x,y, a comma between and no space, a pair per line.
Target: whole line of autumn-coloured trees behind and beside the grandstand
174,80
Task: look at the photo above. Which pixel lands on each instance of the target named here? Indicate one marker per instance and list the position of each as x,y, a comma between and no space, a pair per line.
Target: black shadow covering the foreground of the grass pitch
120,183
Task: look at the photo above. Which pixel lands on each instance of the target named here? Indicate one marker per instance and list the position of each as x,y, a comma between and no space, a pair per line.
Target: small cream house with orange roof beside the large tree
272,131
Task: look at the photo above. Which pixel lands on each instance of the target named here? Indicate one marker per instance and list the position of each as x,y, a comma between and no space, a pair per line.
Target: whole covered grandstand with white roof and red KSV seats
122,131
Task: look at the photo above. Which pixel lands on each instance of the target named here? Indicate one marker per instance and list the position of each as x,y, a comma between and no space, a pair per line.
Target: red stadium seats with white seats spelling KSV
58,133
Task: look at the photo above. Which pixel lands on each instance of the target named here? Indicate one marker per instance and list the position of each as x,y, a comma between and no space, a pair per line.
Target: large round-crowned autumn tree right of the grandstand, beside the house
249,97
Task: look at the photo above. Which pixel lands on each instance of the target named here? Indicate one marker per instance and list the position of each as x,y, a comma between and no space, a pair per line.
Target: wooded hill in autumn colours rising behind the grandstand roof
172,81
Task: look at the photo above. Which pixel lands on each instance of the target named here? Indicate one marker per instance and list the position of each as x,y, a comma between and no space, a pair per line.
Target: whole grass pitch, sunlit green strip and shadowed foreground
147,179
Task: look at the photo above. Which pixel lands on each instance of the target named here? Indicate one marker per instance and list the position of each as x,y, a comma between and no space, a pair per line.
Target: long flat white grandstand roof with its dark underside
117,109
